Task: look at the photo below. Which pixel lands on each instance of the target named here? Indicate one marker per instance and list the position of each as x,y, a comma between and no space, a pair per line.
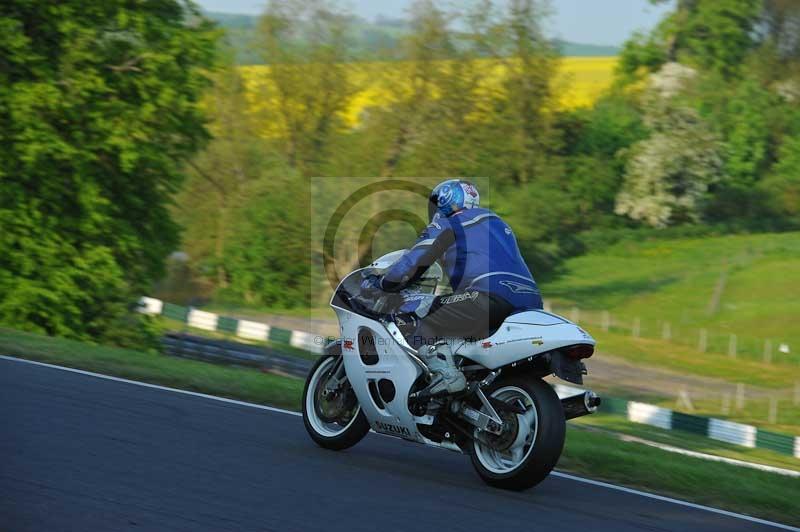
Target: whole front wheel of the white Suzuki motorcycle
333,419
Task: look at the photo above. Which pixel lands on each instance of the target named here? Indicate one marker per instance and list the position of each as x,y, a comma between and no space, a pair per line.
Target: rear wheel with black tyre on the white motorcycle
531,443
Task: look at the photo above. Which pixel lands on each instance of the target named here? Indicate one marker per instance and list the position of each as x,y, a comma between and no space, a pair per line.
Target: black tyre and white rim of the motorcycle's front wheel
331,434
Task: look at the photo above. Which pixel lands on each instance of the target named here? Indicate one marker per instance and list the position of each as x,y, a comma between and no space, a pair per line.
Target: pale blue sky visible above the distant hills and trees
608,22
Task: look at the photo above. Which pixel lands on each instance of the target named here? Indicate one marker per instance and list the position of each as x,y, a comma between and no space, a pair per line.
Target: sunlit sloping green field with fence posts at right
742,285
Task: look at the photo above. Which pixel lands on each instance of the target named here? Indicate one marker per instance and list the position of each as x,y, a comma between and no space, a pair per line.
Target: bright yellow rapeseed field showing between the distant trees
579,82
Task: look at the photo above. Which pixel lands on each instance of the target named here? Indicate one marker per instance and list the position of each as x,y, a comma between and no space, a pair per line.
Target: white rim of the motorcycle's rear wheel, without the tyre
501,463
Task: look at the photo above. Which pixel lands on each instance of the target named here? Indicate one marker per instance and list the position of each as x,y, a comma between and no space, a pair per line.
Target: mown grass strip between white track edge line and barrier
597,455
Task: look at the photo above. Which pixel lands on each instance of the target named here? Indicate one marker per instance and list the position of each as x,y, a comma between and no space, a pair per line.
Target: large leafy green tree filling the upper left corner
98,111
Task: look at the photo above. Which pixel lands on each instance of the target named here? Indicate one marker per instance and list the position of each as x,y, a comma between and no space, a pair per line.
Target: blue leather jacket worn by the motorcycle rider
480,253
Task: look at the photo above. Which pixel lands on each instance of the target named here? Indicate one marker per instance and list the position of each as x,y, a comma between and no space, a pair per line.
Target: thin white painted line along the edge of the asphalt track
298,414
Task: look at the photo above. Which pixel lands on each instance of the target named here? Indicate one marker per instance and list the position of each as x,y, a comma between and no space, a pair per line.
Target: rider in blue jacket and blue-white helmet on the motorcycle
489,278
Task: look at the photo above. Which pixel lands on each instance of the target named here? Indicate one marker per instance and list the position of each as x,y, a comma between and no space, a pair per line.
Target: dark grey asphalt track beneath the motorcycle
88,454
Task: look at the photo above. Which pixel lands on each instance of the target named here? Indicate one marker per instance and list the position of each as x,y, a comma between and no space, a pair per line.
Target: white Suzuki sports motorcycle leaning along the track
508,420
